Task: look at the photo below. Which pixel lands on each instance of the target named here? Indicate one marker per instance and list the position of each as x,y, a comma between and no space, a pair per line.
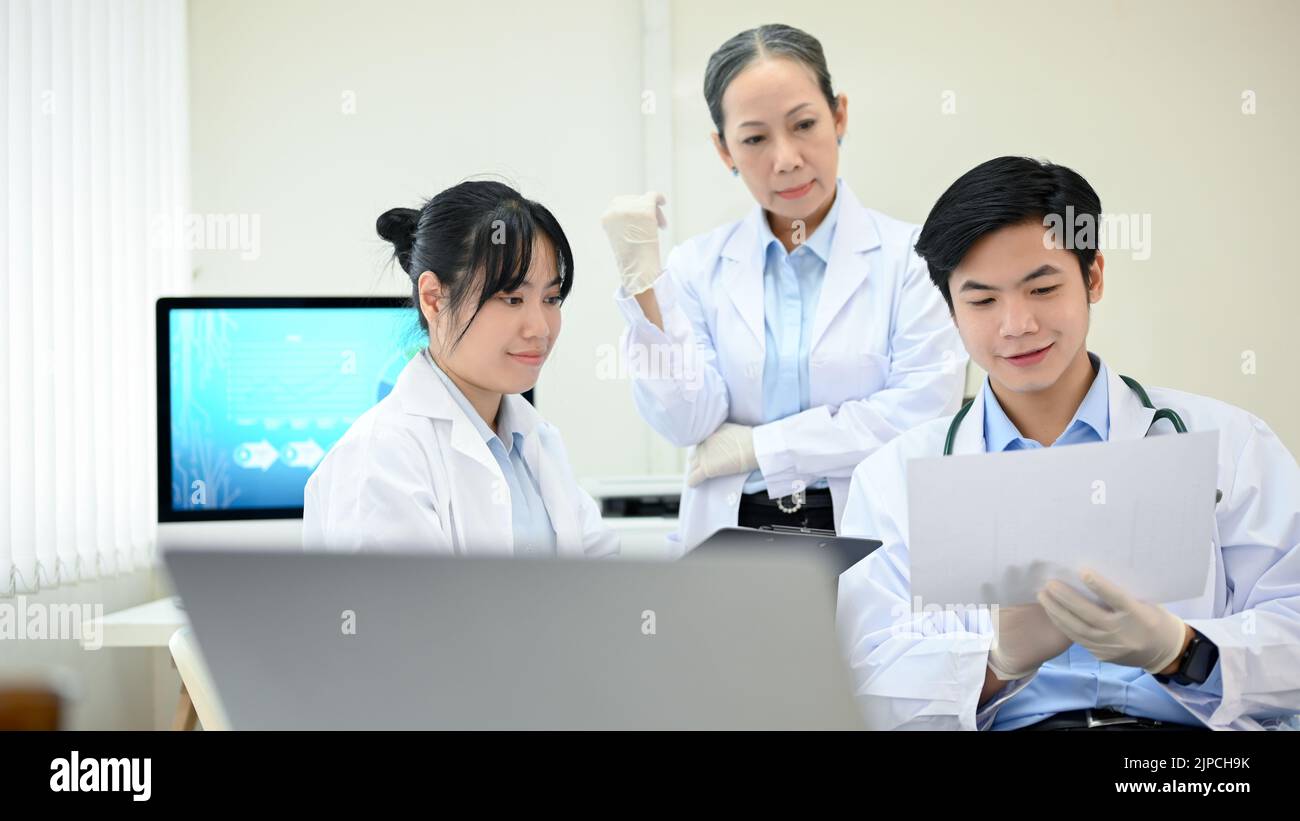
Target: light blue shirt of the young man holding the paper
1077,680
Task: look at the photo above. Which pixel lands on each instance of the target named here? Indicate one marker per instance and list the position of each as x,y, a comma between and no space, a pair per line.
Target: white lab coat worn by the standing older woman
885,358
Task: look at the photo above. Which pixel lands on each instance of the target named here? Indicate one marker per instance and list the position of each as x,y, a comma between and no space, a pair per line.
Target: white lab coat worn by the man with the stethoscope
911,676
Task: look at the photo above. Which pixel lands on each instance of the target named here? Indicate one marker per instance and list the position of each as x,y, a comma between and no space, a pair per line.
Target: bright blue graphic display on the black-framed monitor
261,394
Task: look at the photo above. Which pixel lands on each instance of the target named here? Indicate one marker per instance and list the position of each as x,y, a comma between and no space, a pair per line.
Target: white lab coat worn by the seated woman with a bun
414,474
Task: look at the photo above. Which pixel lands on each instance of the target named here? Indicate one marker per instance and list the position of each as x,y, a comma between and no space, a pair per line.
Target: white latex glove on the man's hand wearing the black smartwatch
1125,631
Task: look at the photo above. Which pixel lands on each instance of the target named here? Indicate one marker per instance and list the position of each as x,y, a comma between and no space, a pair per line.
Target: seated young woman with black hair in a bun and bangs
454,461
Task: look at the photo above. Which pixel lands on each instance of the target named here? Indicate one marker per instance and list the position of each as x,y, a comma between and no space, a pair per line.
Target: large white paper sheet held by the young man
994,528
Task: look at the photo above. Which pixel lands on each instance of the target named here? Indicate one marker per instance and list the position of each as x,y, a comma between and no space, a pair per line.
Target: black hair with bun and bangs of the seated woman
478,227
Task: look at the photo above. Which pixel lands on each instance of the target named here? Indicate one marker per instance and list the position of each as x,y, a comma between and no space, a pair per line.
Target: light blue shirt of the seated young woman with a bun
535,536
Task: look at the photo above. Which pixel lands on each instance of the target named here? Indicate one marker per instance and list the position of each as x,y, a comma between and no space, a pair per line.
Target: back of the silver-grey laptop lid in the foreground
405,641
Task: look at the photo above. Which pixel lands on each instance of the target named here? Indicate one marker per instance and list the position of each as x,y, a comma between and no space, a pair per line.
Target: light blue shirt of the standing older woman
792,284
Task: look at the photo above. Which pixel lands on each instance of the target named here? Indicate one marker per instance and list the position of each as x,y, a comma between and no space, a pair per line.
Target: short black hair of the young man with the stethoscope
998,194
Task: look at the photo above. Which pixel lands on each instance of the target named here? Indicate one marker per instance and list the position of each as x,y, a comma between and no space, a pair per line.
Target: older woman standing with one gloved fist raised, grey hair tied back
787,346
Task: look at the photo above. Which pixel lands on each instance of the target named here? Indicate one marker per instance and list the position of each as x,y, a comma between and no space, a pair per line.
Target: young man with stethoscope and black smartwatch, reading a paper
1229,659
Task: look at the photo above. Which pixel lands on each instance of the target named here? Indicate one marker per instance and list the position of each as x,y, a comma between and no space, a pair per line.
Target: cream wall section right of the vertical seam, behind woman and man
1145,99
